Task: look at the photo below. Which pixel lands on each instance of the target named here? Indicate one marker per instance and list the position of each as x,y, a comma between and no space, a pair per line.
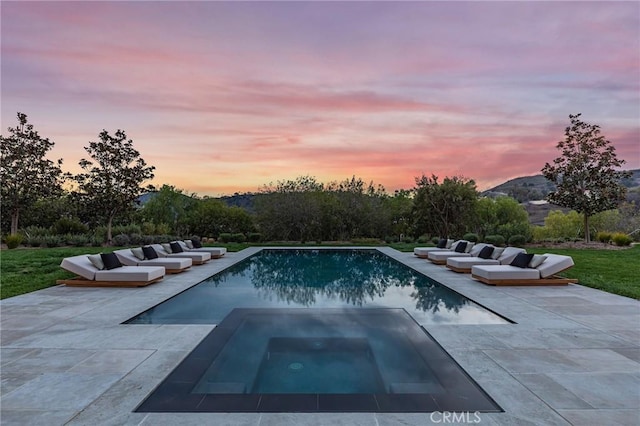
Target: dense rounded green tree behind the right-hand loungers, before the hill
444,209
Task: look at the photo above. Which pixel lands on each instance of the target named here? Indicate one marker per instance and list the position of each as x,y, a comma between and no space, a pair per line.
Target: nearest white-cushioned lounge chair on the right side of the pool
532,274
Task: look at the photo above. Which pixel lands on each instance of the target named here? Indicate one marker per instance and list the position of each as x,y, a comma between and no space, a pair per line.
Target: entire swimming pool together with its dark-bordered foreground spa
318,331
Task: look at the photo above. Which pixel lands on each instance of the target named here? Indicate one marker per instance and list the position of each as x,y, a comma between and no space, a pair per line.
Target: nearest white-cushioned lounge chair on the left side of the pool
125,276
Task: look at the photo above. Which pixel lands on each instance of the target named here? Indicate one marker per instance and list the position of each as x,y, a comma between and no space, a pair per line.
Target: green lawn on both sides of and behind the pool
616,271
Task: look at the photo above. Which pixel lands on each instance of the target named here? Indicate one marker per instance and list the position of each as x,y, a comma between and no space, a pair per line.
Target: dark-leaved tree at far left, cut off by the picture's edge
26,175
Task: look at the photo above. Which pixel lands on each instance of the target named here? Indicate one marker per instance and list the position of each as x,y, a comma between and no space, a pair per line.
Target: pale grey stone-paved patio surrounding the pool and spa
572,356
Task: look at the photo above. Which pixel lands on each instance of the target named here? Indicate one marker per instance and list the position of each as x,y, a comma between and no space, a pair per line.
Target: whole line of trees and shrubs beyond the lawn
102,204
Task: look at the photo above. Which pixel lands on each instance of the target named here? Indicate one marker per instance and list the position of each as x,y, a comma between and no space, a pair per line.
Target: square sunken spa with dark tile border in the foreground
318,360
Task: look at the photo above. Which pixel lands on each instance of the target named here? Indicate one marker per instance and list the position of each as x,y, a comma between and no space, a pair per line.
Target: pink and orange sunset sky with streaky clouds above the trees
223,97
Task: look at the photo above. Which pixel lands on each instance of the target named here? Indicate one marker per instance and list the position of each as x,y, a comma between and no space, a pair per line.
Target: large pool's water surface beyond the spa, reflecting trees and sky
319,279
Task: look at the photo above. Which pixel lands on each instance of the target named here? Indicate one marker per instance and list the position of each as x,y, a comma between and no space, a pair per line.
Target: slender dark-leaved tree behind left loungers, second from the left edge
111,184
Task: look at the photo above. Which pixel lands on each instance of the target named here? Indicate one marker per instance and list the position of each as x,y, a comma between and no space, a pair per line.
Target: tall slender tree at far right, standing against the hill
585,174
